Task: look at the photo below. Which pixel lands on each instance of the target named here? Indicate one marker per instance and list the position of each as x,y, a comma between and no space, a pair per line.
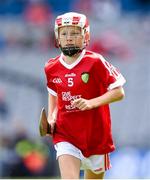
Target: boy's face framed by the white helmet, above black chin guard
70,36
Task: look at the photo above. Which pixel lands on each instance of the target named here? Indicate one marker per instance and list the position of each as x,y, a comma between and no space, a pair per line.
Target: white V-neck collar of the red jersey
70,66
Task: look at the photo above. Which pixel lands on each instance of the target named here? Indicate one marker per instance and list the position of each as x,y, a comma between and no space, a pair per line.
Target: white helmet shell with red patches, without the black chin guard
73,19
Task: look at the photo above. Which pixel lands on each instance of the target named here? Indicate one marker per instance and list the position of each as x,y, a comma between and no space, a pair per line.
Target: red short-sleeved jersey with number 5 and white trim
88,77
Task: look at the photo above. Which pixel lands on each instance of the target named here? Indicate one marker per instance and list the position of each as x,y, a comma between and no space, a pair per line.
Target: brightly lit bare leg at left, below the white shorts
69,166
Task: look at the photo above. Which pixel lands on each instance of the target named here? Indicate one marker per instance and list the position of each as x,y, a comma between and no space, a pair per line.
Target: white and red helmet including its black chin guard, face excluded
72,19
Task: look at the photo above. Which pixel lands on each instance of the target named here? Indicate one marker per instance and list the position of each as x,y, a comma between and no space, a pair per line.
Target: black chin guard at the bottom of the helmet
70,51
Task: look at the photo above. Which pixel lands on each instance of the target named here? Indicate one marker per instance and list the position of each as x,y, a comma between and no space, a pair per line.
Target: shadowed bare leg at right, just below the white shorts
88,174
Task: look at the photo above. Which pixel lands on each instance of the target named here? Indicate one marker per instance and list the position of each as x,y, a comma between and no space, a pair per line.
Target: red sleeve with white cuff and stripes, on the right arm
108,74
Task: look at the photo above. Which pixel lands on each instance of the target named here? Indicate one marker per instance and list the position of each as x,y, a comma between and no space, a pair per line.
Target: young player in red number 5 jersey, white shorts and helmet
80,85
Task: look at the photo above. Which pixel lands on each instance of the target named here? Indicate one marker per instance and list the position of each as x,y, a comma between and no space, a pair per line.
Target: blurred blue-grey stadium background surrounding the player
120,30
